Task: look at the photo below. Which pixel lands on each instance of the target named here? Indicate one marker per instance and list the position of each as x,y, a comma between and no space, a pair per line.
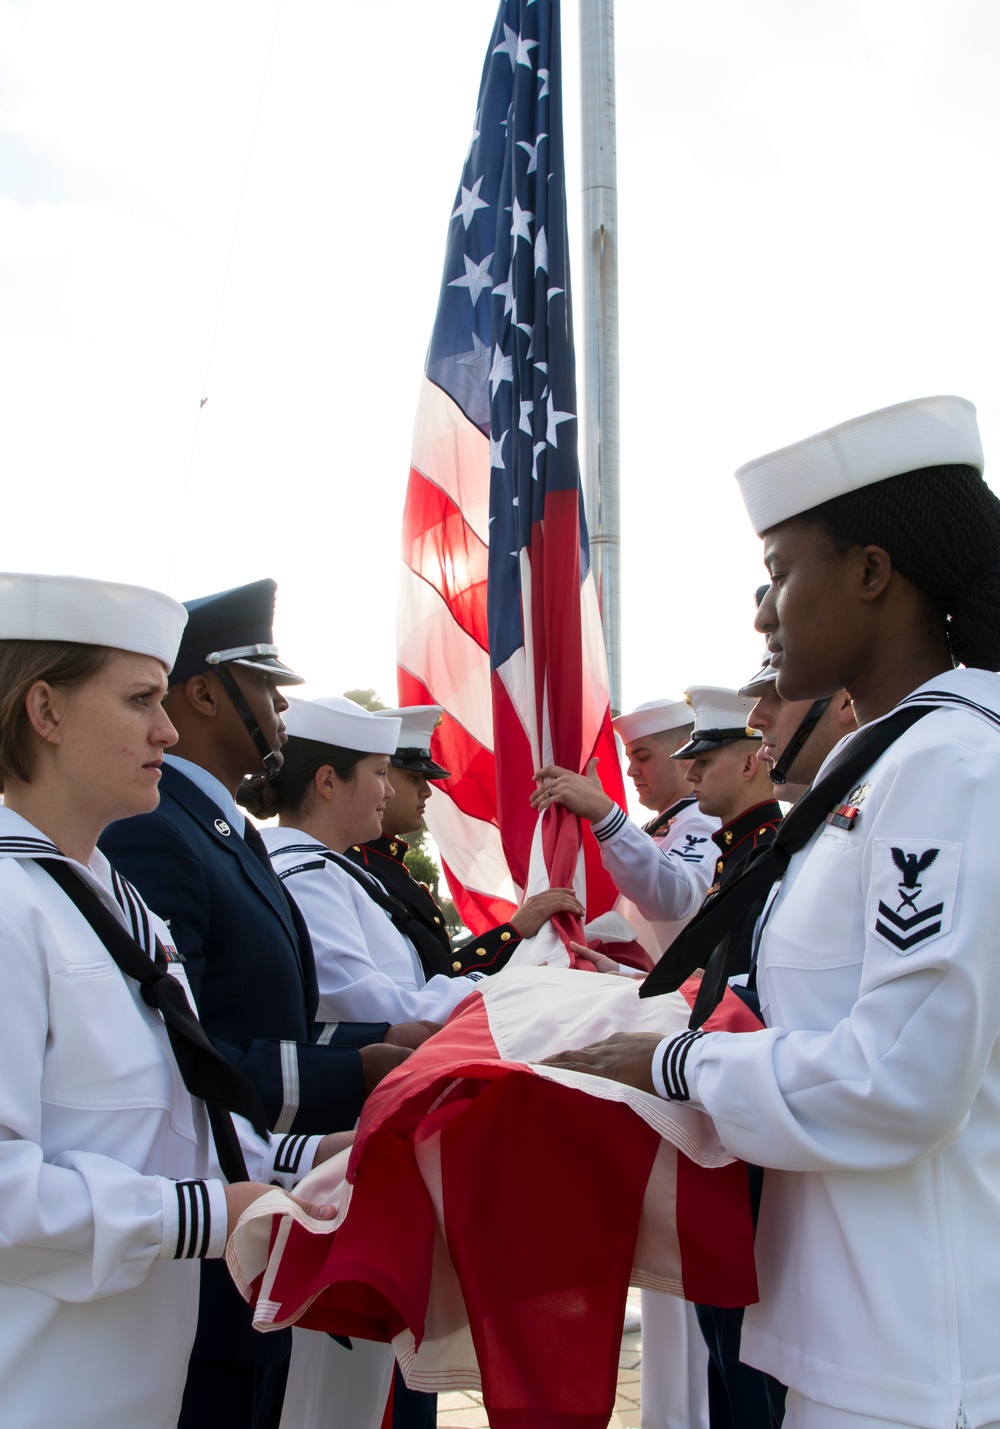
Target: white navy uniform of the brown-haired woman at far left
109,1184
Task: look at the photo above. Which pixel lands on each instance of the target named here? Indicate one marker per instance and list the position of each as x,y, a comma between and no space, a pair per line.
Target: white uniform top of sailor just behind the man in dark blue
368,971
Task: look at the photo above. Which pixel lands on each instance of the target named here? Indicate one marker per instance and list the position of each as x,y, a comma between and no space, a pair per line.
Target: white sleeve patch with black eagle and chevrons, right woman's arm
914,890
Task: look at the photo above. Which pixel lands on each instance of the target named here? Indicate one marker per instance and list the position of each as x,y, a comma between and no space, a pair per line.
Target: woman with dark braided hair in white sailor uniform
872,1095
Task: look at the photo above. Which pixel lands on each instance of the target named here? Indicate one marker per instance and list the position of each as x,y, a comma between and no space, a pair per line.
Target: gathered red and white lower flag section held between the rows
494,1213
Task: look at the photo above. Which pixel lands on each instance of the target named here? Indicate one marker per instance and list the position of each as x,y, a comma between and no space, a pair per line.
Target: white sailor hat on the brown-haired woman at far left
91,612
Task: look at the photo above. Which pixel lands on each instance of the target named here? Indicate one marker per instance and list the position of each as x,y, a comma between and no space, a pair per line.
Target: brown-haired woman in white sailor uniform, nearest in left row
111,1188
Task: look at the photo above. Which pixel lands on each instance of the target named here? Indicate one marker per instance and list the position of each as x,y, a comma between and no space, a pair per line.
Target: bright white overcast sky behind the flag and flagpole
809,229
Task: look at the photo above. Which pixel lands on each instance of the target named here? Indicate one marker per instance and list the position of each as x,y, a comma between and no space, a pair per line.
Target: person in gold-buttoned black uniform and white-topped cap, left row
409,777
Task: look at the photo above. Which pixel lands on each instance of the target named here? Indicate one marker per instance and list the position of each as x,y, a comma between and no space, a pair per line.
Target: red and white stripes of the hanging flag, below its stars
496,731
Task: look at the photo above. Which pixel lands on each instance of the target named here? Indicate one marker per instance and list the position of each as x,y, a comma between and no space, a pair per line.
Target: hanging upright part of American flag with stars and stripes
498,618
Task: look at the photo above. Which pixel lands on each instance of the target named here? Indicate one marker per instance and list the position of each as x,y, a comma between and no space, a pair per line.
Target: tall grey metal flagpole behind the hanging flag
601,312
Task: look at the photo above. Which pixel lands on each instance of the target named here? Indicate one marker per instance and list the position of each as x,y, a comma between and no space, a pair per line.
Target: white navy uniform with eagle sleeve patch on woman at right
875,1090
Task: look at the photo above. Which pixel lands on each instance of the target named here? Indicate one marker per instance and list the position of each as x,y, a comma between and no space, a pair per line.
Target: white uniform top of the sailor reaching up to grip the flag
668,877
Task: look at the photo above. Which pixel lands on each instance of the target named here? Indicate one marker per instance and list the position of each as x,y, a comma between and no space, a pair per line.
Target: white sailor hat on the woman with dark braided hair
869,449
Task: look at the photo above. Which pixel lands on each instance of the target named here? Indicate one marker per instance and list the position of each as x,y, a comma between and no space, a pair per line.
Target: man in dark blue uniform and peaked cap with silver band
204,868
